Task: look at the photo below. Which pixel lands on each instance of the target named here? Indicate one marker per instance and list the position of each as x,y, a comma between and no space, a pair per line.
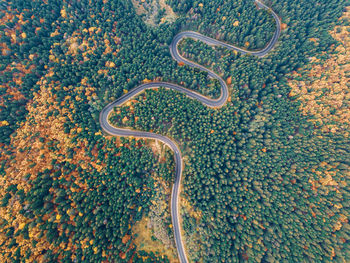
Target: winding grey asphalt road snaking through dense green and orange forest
108,128
